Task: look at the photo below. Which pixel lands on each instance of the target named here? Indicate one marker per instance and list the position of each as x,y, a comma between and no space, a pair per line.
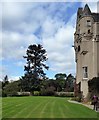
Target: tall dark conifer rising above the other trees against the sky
35,56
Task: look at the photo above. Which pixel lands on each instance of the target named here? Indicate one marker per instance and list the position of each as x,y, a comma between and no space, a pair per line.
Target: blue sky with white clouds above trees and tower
51,24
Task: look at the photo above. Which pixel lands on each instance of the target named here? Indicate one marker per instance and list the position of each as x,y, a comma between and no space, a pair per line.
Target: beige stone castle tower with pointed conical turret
86,45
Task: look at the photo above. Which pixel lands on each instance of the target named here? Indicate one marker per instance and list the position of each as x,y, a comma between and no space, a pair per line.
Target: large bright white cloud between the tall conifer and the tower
59,49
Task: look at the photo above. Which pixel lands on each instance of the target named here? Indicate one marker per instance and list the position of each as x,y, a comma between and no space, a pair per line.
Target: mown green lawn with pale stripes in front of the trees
44,107
